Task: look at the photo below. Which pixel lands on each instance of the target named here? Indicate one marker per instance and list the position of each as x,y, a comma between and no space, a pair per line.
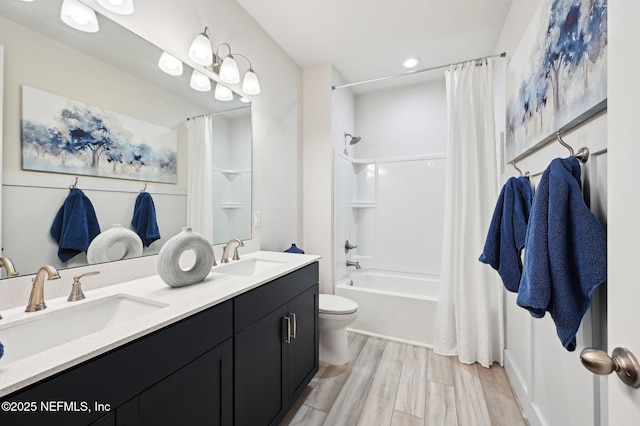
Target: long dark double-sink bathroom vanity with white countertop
243,358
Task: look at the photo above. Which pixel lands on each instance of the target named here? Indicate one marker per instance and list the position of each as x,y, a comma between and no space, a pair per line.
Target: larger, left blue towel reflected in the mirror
75,225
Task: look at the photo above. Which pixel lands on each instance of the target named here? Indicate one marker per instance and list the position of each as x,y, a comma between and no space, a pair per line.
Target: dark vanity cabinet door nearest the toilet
303,350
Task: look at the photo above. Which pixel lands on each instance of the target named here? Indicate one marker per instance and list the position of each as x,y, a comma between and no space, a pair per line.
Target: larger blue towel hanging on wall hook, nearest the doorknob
565,254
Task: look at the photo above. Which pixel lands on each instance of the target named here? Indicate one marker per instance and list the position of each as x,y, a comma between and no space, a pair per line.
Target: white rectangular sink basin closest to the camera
46,330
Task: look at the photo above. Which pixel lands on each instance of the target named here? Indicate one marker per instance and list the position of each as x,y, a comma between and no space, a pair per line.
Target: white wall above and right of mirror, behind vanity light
276,111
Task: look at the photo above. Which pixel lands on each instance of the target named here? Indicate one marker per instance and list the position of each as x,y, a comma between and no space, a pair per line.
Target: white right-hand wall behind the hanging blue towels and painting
551,384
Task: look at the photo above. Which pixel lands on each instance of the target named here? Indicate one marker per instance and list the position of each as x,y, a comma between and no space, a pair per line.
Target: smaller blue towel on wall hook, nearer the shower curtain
507,231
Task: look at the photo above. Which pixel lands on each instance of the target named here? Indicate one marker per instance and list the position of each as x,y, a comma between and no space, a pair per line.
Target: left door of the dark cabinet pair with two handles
260,360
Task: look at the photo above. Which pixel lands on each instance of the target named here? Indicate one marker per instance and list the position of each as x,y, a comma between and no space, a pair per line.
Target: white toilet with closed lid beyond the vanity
336,313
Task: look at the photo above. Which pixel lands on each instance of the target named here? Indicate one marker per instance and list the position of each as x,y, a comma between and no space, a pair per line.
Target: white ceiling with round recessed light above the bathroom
368,39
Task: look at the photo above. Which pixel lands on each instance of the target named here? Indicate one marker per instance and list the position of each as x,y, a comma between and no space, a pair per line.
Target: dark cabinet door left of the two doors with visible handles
199,393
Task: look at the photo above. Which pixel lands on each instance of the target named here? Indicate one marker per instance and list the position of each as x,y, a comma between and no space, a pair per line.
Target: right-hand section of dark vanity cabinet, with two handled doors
276,346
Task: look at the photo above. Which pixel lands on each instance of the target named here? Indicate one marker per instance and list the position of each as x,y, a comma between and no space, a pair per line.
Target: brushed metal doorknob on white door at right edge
622,361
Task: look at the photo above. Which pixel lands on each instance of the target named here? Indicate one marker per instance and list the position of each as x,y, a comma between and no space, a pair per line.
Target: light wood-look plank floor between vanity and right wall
388,383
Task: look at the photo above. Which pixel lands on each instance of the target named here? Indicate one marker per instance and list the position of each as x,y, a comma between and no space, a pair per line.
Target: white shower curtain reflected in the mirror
199,177
